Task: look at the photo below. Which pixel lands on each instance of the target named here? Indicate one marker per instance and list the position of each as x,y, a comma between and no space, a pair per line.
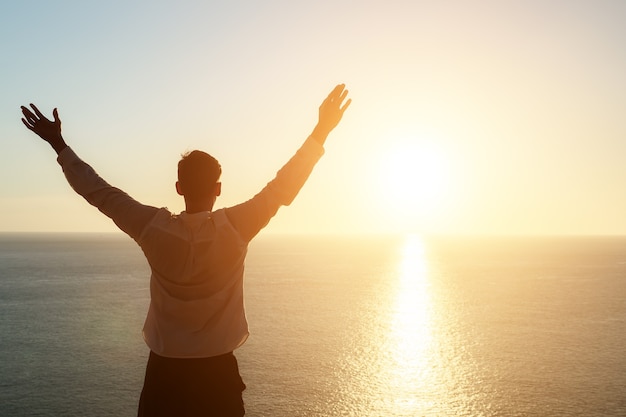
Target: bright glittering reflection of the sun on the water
394,366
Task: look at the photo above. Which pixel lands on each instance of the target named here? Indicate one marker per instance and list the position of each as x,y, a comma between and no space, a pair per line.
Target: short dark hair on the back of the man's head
198,172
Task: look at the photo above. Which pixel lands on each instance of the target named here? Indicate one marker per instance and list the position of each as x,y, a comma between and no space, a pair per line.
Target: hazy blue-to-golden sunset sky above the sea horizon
468,117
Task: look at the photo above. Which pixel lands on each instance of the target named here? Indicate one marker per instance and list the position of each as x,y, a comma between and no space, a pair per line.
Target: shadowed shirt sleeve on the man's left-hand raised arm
128,214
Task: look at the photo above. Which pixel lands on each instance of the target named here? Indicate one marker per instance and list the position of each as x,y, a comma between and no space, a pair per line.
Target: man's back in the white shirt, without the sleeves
196,287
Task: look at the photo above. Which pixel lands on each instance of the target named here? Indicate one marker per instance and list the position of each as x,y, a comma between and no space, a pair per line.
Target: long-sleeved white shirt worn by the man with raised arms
197,260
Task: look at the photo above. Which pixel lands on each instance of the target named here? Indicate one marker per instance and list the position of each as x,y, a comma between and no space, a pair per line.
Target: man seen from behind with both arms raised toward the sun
196,317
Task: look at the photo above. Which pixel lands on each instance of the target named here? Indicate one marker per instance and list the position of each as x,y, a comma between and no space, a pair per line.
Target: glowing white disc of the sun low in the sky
413,179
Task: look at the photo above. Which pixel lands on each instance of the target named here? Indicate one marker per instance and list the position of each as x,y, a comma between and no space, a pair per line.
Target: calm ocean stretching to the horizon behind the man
340,326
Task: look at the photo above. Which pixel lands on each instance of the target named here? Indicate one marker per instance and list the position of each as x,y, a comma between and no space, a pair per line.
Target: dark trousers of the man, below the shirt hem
192,387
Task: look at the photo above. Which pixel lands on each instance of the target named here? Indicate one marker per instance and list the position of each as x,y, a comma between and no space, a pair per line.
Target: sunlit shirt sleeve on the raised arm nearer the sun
250,217
